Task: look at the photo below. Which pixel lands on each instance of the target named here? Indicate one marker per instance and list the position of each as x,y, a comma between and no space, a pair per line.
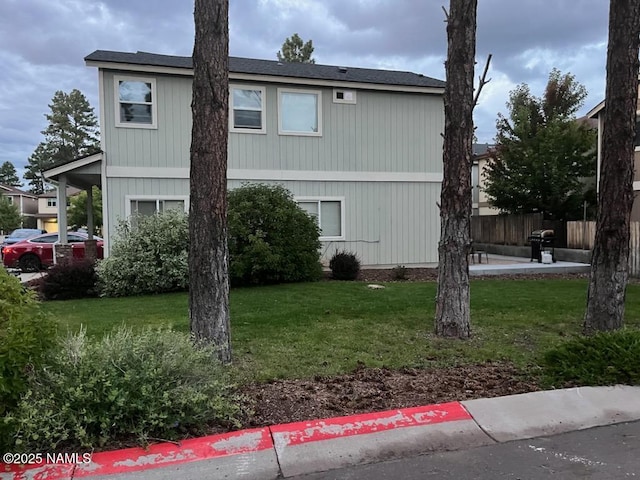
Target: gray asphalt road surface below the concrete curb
611,452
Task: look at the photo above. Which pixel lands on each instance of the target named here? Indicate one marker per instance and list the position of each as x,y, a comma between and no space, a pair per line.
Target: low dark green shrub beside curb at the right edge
602,359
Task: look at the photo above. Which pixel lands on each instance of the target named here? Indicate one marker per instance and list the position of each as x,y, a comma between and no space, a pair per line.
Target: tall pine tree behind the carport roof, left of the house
72,132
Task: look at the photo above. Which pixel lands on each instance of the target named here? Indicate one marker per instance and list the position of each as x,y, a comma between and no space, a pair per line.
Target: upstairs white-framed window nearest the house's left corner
136,102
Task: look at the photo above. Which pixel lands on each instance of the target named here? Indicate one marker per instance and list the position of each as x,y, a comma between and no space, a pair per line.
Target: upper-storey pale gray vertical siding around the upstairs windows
384,131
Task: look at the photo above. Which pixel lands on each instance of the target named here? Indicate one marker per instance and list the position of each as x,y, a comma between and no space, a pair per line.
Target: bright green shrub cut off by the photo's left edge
25,335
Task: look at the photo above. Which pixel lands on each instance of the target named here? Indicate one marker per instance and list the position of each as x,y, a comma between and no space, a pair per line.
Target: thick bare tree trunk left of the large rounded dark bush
208,251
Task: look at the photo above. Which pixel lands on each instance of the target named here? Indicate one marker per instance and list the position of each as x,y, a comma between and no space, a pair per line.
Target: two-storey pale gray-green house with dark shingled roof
360,149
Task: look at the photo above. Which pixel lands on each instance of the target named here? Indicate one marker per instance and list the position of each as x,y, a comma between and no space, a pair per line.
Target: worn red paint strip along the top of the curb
241,442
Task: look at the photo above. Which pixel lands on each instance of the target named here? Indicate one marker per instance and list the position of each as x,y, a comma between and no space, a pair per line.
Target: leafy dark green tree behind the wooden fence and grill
543,155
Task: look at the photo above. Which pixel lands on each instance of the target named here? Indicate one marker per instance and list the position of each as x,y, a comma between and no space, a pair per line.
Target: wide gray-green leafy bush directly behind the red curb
126,385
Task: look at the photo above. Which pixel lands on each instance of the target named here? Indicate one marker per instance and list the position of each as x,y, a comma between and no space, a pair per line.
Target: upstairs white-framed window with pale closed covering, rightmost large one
299,112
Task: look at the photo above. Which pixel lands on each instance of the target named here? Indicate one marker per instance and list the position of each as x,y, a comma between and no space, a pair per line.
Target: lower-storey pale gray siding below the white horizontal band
385,223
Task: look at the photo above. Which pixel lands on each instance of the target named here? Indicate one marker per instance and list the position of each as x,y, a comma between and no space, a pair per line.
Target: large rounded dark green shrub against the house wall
271,239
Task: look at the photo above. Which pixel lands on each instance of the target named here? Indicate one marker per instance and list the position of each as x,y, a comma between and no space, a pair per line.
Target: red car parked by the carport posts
34,253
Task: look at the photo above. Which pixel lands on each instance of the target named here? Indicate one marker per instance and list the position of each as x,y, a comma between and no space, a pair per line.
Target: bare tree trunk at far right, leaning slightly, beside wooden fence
609,261
